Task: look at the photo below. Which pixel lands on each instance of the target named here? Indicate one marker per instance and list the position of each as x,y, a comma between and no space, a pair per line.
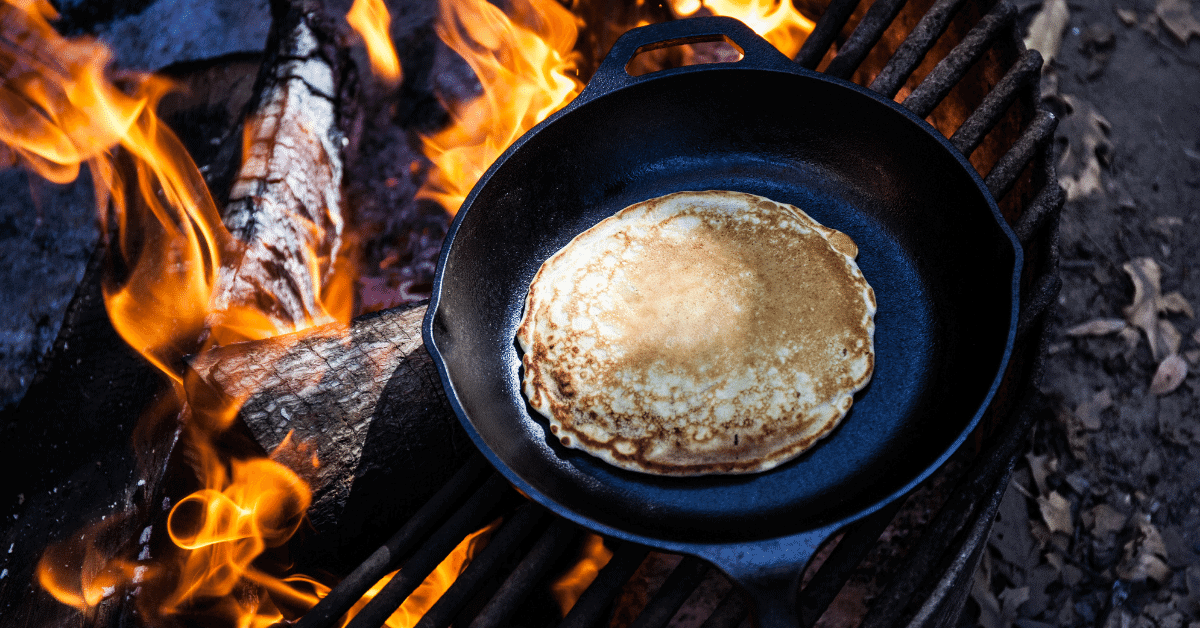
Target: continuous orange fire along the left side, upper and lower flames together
62,110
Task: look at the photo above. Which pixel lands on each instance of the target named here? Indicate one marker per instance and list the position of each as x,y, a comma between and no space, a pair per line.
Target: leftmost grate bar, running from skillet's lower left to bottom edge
388,558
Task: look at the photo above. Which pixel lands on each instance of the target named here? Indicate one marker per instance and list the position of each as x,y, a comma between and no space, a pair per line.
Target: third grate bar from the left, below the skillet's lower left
484,566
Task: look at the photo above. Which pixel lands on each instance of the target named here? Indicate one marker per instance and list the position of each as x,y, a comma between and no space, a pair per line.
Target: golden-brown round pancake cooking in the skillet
699,333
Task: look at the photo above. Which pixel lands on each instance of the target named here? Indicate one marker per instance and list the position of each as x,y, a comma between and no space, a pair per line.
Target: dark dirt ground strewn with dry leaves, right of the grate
1101,525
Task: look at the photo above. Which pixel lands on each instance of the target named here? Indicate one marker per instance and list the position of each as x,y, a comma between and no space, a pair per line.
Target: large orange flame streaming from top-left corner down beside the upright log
62,110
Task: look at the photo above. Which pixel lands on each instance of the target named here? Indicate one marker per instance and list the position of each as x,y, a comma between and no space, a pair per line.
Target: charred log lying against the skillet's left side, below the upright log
365,399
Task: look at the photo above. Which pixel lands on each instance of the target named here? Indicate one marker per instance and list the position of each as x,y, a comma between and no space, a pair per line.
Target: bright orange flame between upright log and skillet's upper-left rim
526,67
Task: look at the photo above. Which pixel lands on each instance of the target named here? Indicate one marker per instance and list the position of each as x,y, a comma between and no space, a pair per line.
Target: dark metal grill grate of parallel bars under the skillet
938,570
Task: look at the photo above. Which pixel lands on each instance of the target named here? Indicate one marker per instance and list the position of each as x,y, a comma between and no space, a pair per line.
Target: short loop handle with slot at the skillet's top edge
611,76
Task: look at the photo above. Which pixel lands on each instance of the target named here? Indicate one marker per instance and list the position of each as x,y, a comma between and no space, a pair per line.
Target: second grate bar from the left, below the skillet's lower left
465,522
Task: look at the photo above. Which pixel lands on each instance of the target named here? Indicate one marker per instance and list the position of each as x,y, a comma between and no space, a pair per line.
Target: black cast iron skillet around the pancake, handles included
932,243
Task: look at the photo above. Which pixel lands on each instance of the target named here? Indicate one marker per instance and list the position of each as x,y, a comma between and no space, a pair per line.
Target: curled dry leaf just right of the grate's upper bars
1088,140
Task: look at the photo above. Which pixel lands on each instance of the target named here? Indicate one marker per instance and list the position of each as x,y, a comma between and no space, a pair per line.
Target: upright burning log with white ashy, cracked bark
286,206
